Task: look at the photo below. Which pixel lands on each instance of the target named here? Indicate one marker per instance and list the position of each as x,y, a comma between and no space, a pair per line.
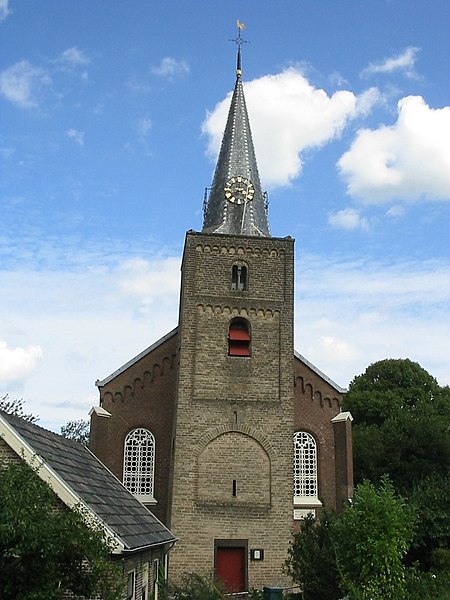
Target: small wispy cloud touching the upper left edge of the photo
21,83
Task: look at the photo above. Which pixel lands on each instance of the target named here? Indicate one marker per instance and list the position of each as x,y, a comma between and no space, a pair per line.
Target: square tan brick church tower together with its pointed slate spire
233,462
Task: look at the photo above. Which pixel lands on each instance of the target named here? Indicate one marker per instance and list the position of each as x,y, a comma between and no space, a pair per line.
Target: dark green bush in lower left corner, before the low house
45,548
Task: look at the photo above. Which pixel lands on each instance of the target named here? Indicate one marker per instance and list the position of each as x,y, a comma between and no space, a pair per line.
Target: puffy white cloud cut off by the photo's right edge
407,161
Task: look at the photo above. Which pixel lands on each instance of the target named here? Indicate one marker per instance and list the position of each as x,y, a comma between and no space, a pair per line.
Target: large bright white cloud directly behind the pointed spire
294,117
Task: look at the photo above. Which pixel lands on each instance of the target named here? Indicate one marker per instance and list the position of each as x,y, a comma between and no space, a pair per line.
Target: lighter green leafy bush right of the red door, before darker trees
358,552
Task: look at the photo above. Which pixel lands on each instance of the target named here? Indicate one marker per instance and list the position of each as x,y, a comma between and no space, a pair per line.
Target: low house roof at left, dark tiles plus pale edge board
79,478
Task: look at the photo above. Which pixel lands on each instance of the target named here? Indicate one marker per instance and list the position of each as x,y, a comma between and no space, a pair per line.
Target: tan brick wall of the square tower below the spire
256,393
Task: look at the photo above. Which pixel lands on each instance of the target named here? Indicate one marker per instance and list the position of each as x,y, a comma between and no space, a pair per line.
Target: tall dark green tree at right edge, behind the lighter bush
401,428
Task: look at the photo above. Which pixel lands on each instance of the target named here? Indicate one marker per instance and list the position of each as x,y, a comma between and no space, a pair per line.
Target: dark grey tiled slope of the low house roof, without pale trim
134,525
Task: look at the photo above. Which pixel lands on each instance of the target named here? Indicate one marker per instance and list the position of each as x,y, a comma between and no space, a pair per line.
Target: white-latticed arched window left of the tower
139,464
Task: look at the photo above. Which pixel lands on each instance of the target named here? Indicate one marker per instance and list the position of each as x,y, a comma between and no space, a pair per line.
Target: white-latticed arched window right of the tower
305,467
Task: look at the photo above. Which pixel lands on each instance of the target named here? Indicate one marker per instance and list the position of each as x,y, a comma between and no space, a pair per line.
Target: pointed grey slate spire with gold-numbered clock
236,203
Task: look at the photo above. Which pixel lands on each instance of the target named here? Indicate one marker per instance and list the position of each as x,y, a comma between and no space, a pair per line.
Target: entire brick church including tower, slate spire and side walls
227,434
